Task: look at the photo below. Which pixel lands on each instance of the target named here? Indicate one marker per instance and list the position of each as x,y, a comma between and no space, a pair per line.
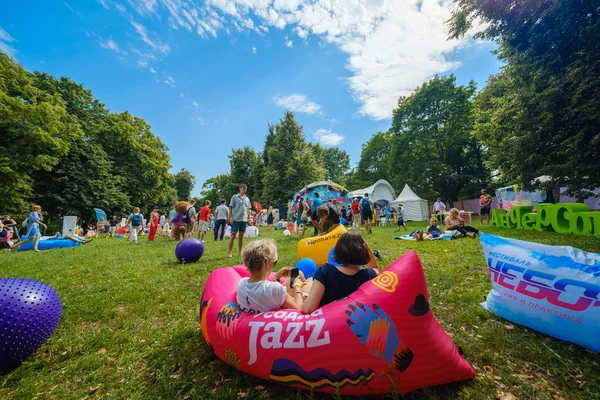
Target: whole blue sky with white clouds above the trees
210,75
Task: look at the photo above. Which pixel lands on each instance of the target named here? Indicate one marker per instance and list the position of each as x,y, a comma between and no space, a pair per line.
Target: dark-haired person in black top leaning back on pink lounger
332,283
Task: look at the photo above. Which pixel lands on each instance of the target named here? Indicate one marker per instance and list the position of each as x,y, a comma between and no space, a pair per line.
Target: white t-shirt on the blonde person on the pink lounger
257,297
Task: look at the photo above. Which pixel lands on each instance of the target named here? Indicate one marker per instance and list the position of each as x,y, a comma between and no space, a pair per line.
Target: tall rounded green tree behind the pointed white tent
432,146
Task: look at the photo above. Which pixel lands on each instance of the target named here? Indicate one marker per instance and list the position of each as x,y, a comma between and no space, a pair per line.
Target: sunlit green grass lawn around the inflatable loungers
130,325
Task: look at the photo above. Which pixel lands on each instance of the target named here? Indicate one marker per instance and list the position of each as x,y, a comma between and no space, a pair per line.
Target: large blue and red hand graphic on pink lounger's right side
377,332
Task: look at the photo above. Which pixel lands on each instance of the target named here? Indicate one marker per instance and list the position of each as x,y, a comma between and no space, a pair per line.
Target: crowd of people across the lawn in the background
183,221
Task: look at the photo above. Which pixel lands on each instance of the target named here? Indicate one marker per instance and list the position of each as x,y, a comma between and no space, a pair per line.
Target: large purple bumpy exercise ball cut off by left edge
29,314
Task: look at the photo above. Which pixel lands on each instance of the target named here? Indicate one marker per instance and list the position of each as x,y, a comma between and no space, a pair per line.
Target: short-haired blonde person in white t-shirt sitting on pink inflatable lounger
257,293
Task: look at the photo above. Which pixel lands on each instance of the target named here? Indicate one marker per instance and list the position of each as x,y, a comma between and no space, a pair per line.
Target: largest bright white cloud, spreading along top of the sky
392,46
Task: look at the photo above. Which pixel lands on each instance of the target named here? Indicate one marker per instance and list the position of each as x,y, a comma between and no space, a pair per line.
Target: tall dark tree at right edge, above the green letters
548,91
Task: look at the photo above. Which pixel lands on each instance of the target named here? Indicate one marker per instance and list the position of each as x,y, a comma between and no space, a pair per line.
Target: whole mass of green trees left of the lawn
62,148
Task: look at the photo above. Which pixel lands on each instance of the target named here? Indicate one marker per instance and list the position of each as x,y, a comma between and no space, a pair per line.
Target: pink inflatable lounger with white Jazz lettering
381,339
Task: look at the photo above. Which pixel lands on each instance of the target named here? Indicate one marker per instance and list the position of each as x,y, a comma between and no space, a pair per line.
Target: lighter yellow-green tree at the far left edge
35,132
